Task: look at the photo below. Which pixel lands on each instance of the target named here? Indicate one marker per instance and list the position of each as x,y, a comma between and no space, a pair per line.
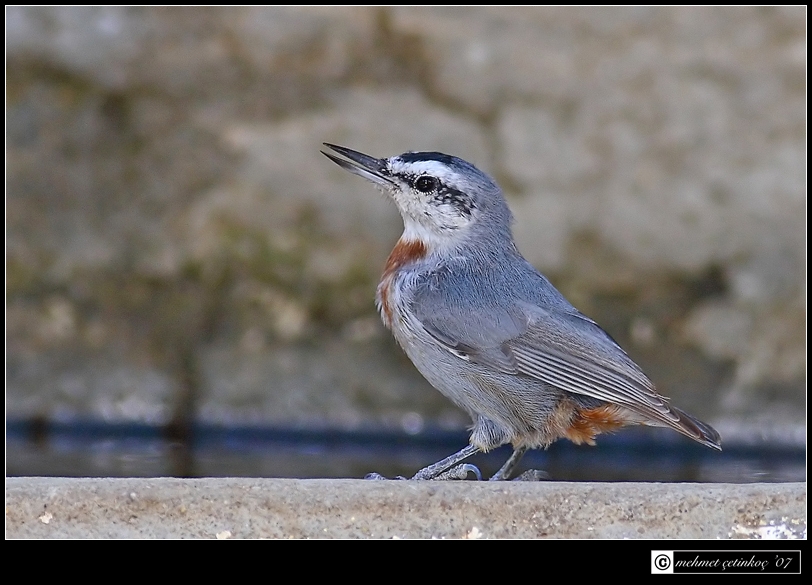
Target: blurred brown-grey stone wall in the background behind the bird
178,249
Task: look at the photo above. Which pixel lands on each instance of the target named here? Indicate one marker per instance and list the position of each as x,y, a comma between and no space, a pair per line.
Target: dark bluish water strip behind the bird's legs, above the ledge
93,449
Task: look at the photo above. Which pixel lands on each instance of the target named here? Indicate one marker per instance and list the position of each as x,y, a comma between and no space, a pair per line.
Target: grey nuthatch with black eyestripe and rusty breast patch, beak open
488,330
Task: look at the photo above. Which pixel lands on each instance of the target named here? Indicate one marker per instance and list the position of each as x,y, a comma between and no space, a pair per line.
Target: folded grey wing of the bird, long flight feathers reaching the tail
558,346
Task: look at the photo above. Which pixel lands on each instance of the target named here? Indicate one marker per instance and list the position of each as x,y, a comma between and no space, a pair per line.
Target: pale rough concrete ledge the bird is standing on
329,508
